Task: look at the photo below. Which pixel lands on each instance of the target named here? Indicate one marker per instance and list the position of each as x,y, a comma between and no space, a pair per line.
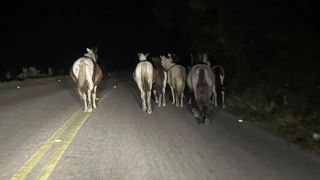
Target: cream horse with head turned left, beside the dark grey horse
177,76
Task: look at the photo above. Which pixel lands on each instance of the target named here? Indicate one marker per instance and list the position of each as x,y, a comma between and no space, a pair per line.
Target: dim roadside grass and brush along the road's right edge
292,122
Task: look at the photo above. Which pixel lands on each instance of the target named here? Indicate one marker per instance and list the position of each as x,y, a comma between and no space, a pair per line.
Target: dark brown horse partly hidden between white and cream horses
159,82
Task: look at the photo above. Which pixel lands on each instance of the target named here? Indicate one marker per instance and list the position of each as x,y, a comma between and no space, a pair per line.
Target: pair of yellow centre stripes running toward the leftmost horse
27,167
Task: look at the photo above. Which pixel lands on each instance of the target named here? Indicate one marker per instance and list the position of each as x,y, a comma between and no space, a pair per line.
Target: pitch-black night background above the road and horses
263,39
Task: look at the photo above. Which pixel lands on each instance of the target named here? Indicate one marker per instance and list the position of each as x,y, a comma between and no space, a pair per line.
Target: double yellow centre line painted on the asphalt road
73,124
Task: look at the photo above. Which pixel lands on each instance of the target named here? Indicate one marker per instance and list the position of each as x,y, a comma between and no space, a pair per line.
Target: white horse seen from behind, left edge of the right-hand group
143,76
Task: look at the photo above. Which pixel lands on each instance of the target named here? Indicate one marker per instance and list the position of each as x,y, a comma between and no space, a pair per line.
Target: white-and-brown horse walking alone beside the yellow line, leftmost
87,74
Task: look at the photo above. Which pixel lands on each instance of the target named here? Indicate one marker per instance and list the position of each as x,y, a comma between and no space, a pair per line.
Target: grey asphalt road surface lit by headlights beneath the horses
44,135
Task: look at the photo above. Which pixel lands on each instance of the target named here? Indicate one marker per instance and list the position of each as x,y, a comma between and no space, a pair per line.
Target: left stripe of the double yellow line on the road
36,157
